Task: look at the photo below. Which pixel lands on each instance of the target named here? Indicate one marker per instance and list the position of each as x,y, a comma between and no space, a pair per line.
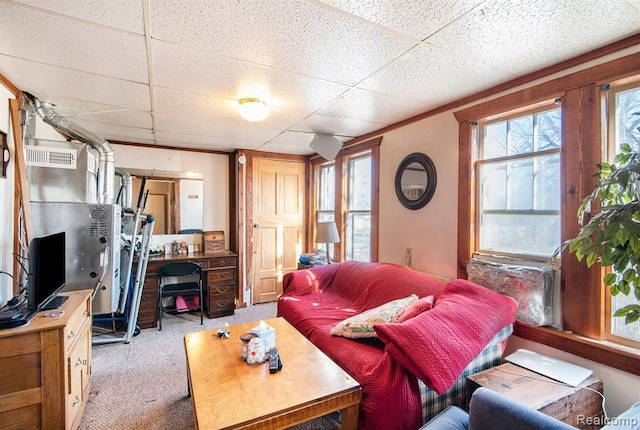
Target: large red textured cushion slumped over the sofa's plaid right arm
437,345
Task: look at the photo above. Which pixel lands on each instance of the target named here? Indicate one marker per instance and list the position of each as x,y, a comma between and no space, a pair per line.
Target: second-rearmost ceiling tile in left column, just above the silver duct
82,110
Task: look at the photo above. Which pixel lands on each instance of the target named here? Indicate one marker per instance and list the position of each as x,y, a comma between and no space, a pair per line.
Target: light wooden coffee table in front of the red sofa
227,393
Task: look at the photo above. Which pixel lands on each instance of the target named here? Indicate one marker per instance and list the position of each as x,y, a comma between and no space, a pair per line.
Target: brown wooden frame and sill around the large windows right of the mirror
583,294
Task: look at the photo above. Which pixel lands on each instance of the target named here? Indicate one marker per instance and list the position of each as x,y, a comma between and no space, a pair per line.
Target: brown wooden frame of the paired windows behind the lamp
341,183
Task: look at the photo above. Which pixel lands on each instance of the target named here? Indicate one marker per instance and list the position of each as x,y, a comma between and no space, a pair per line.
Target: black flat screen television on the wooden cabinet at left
47,272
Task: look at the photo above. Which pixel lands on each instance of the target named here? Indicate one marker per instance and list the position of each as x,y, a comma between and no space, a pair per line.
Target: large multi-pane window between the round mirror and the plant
519,184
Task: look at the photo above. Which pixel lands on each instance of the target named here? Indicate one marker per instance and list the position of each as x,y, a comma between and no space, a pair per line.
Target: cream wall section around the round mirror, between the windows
432,231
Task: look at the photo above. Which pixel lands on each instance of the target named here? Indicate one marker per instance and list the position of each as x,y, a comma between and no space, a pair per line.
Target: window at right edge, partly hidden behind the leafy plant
624,103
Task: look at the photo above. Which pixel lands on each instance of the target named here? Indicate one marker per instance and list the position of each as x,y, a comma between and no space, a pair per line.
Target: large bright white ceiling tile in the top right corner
536,34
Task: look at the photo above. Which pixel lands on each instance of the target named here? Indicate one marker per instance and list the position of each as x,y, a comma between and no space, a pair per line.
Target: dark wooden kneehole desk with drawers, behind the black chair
219,283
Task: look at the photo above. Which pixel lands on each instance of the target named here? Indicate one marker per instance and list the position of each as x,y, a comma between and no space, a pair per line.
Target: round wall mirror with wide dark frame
415,181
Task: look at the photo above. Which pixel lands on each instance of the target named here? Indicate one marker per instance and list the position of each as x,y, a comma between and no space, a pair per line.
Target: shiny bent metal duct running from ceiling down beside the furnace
106,166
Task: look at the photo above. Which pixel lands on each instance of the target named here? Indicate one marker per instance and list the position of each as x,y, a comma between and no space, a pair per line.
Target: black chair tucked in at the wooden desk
187,287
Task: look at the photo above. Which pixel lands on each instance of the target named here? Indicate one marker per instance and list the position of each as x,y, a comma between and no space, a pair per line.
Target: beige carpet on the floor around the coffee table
143,384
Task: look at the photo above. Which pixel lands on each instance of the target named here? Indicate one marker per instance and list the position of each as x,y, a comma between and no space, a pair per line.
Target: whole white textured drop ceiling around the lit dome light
171,72
